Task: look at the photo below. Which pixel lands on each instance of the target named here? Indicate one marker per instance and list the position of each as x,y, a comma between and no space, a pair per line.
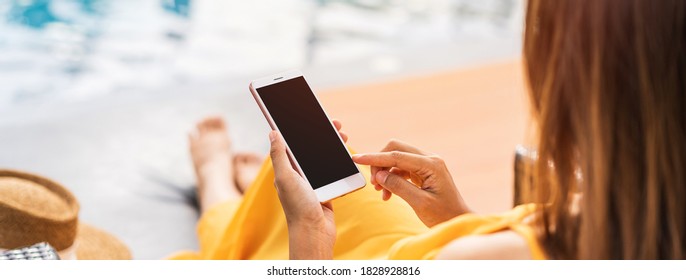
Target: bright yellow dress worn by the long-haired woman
367,227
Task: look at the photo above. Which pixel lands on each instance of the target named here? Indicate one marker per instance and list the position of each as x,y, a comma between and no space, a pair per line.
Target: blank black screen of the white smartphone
309,134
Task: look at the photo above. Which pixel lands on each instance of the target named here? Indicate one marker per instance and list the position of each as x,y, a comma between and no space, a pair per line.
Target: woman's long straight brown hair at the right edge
608,92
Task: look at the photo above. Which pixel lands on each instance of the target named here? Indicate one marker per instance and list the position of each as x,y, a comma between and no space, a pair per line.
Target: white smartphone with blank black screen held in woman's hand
314,147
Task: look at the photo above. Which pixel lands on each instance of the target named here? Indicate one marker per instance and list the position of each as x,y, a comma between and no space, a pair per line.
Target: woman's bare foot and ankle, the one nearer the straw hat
212,158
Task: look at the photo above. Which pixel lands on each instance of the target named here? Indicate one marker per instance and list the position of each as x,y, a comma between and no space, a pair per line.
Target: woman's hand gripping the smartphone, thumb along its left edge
311,227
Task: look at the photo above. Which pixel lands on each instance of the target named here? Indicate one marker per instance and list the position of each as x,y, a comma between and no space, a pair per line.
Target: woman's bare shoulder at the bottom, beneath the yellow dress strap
506,244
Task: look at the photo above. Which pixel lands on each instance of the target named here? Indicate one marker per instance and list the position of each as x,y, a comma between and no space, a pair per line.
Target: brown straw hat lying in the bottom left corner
34,209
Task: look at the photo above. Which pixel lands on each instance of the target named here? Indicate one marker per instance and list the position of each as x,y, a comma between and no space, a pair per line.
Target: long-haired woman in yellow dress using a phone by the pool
607,88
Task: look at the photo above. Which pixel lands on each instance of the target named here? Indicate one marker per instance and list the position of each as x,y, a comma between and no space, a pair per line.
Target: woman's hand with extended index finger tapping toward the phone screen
419,178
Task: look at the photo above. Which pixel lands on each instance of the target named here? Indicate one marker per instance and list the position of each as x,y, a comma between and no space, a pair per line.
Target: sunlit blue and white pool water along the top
56,50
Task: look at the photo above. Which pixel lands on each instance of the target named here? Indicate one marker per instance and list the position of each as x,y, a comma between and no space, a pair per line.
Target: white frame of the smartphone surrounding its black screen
324,193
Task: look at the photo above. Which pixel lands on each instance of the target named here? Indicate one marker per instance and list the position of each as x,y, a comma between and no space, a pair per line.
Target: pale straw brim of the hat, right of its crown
95,244
